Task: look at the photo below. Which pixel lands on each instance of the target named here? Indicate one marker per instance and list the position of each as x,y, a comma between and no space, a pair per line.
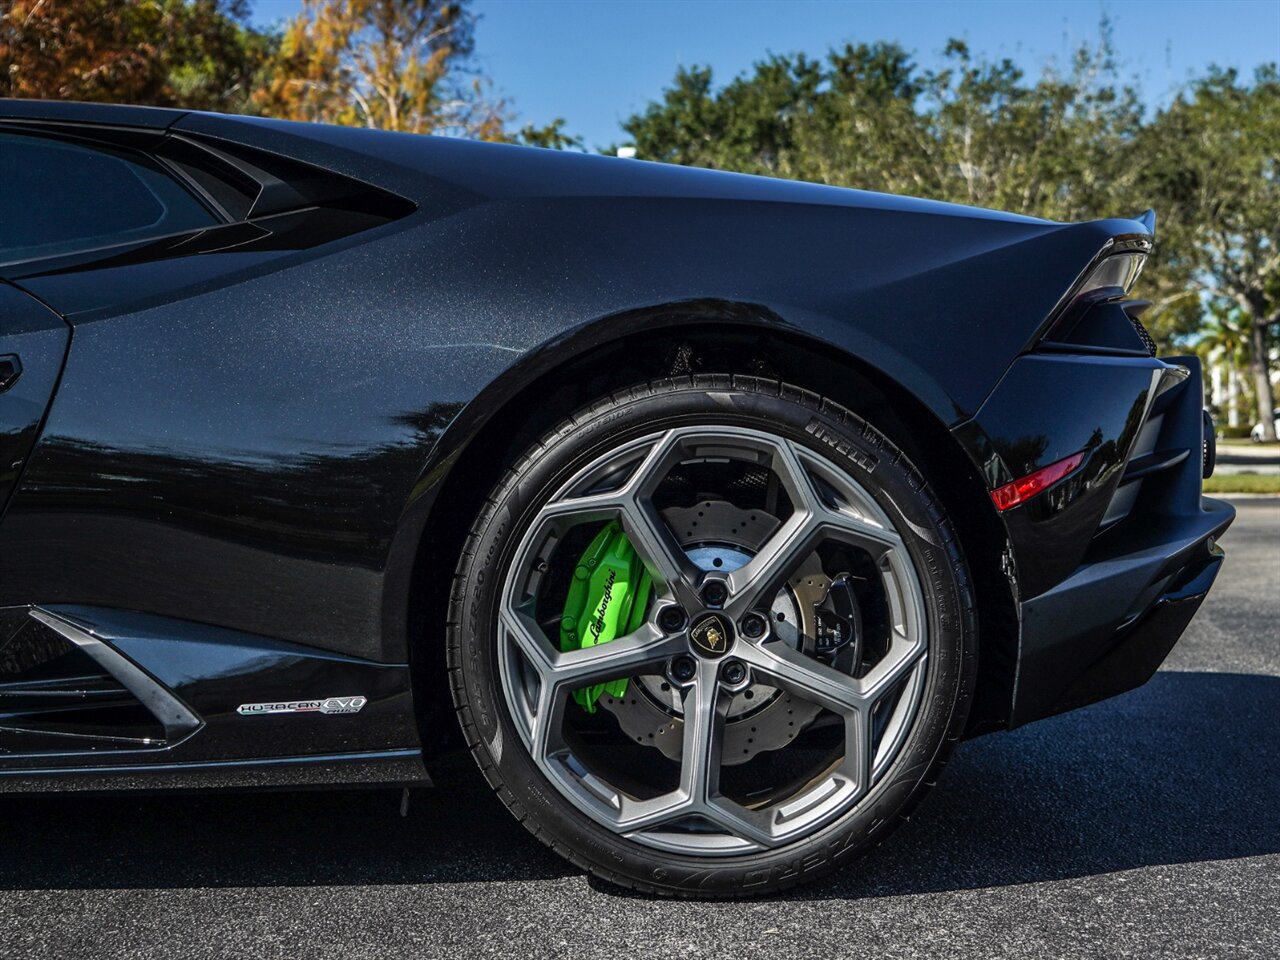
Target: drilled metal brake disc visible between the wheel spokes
717,536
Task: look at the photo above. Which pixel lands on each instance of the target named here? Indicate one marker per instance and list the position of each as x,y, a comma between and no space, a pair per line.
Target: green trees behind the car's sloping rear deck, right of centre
975,132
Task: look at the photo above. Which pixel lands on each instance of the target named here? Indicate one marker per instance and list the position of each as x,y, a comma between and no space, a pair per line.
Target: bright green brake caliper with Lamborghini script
607,598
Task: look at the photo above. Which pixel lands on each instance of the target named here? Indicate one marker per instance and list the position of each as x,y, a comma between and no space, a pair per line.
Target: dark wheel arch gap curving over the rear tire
691,337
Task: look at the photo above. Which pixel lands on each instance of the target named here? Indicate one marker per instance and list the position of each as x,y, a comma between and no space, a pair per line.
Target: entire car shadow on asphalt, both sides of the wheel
1183,770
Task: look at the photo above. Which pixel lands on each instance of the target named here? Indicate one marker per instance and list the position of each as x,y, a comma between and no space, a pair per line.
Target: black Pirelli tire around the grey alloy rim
807,419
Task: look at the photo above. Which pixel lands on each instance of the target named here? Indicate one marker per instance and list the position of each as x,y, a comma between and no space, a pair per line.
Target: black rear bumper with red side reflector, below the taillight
1105,596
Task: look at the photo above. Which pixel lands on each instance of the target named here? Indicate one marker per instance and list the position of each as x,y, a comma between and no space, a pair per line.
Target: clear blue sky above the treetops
596,62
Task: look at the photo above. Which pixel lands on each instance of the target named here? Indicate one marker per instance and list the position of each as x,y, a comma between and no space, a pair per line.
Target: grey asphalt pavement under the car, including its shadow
1148,826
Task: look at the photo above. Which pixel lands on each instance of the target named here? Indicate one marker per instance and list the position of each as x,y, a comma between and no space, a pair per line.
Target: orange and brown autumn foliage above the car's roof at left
394,65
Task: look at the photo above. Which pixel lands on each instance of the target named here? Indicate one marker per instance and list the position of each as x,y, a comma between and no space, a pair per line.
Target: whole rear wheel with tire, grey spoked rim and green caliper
712,637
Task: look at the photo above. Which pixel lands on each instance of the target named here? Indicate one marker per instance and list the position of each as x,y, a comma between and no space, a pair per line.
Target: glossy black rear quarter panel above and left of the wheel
391,332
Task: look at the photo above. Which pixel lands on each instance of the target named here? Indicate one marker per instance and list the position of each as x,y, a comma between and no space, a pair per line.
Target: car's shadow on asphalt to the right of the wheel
1183,770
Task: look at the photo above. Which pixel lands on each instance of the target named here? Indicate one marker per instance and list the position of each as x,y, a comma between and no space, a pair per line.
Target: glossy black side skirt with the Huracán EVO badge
111,696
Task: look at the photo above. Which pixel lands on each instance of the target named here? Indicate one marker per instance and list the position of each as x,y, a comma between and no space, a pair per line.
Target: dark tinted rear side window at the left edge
60,198
